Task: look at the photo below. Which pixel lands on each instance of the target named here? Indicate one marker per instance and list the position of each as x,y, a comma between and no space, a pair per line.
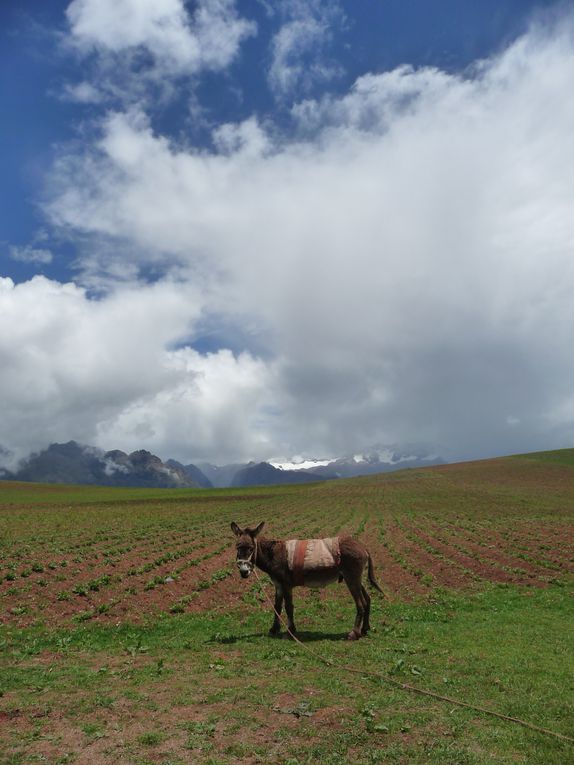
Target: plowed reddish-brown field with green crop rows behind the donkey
114,556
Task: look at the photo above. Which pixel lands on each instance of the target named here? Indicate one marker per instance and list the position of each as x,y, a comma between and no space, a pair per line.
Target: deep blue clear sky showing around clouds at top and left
374,37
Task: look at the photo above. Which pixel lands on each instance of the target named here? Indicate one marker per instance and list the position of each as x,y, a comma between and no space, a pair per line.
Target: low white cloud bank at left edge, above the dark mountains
109,372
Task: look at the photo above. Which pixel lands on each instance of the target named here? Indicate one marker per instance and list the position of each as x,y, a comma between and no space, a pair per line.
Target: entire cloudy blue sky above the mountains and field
253,230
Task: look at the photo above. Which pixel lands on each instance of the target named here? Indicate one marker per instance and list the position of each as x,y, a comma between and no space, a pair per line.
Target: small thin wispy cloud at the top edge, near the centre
299,49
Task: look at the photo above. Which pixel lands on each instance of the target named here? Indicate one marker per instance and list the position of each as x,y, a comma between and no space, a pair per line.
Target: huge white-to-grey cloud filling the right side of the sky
408,256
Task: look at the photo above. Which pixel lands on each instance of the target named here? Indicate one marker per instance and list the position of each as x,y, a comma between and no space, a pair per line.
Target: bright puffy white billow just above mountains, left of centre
210,412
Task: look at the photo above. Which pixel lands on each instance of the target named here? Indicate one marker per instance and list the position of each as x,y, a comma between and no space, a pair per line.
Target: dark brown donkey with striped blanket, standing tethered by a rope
271,556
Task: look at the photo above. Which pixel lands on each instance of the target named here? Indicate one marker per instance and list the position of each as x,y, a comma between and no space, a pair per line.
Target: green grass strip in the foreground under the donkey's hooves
191,681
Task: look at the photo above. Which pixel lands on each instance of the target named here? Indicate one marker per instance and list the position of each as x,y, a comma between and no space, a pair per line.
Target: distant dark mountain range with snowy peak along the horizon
79,464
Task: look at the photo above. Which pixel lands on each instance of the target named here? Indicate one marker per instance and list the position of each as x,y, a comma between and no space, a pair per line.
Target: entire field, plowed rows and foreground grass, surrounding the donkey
128,637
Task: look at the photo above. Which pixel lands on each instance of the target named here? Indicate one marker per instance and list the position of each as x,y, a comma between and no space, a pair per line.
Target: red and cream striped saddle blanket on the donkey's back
313,562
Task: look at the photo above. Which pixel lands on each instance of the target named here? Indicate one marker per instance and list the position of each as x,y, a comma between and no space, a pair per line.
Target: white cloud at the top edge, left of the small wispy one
137,43
